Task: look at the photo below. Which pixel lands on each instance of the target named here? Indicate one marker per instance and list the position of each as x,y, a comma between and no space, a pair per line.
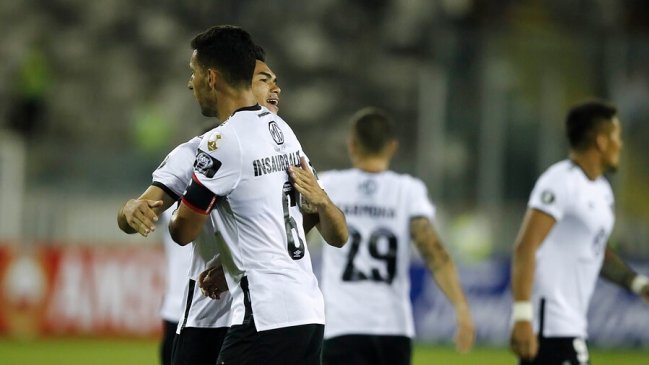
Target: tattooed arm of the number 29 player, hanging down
440,264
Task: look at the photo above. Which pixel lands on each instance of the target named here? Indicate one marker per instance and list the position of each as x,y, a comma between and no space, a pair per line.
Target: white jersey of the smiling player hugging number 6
173,176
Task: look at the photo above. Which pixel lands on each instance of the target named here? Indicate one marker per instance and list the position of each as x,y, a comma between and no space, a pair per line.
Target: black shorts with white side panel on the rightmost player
560,351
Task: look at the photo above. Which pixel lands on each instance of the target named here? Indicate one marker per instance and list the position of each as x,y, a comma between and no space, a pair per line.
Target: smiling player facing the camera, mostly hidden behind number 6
205,321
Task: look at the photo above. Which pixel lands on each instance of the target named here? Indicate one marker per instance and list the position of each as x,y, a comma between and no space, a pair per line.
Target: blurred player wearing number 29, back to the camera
366,284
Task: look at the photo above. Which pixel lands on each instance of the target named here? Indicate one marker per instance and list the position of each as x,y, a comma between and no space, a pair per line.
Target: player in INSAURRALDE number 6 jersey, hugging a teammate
249,176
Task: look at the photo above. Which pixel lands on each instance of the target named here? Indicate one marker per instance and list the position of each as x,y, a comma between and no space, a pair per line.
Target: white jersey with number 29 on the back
366,283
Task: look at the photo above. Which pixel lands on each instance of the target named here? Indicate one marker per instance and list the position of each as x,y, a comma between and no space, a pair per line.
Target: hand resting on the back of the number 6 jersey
306,184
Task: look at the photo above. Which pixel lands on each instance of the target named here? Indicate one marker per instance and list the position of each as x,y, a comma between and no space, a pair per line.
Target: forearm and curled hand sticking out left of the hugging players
139,215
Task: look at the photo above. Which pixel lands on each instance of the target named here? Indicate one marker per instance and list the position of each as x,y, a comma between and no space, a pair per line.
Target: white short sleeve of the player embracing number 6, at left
175,171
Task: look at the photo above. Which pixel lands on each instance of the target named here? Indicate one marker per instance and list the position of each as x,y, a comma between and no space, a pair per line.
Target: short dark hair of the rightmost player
585,120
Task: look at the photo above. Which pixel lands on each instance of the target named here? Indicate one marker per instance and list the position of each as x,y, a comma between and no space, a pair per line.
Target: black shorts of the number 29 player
367,350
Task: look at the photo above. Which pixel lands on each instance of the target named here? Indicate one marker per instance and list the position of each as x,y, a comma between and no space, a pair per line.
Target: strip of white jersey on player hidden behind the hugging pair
177,259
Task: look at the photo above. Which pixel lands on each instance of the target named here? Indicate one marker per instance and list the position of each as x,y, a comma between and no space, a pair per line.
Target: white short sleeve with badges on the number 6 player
218,161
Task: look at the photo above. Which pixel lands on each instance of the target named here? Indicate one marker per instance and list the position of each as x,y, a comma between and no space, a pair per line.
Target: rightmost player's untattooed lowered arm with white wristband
535,227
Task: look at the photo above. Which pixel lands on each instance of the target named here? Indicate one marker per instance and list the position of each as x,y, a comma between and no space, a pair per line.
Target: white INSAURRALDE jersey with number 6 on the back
244,163
